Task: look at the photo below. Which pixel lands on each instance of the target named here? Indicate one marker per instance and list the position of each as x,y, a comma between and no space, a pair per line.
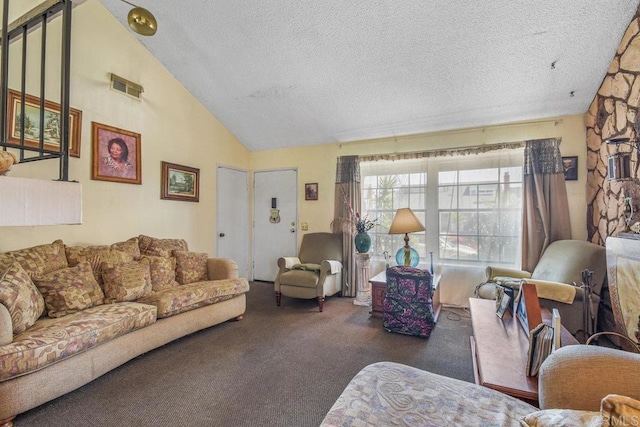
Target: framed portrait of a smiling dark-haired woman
116,155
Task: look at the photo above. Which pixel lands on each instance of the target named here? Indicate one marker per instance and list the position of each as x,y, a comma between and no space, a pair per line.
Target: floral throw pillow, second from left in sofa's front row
70,290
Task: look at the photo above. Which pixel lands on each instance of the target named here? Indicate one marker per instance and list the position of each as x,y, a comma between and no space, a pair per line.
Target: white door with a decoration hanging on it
275,228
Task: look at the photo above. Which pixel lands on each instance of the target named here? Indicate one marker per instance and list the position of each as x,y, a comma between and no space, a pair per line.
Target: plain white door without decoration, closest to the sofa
233,217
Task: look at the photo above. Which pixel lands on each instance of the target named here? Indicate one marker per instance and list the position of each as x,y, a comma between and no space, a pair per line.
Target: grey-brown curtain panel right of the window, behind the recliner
545,213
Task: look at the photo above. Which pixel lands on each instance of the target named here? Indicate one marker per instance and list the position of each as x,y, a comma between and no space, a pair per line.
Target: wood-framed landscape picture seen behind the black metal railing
32,123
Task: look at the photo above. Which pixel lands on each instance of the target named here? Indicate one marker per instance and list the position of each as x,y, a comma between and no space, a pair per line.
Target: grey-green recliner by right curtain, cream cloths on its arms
558,280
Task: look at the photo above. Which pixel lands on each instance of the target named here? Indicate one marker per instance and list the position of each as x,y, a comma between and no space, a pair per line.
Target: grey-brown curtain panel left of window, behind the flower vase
347,203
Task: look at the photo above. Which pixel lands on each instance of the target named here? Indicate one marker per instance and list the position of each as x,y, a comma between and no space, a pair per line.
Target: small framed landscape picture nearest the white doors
180,183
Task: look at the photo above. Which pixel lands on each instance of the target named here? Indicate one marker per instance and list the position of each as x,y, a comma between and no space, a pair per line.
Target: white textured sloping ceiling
298,72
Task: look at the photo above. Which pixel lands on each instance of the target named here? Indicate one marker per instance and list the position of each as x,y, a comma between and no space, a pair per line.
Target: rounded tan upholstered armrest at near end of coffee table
579,376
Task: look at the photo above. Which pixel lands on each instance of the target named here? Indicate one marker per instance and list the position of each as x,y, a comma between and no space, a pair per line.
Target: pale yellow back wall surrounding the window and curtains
318,163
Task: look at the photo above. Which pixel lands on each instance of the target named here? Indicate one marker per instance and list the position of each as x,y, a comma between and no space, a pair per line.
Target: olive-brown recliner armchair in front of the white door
315,273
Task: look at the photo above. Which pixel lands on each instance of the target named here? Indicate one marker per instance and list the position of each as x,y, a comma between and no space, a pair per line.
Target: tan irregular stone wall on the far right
614,113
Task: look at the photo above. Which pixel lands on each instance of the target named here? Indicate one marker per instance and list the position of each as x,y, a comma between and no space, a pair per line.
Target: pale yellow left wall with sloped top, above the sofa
174,128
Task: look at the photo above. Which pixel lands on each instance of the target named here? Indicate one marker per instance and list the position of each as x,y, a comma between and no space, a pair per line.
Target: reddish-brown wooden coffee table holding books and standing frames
499,348
